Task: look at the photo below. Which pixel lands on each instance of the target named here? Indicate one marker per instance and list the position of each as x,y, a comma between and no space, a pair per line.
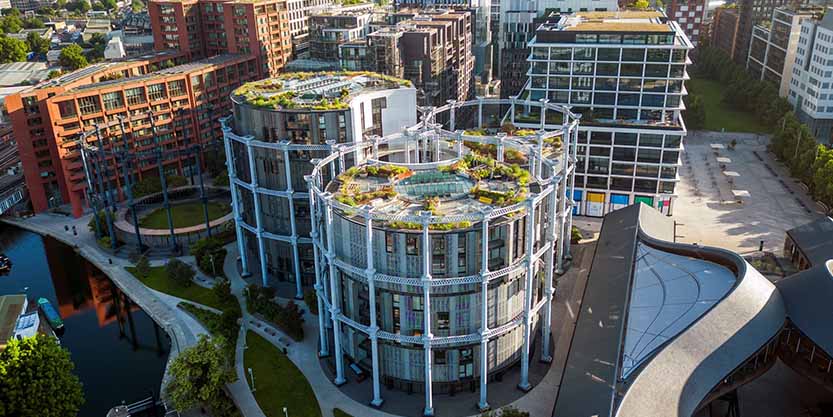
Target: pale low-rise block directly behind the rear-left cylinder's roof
336,26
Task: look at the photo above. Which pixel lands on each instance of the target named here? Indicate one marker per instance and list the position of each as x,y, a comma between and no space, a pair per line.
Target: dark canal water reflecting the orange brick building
118,352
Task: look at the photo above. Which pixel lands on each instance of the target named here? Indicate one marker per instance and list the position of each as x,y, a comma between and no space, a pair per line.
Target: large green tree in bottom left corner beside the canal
36,379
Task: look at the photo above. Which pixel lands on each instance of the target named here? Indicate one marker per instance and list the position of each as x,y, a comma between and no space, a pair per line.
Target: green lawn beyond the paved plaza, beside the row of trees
718,115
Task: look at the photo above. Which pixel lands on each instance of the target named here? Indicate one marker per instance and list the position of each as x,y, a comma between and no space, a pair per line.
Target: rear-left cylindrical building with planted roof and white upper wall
278,126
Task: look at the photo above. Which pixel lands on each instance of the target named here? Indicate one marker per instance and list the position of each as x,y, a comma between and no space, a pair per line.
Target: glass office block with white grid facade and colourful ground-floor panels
624,72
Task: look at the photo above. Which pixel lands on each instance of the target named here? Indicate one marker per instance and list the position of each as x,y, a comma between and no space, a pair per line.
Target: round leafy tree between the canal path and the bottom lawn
199,374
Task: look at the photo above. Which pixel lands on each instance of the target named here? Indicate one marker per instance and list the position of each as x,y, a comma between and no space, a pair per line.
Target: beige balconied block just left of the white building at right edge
772,51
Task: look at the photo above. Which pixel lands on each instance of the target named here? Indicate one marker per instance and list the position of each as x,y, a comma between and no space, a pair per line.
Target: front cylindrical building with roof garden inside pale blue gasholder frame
436,269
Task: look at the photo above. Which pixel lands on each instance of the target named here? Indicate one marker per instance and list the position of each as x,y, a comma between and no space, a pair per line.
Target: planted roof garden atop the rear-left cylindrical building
316,91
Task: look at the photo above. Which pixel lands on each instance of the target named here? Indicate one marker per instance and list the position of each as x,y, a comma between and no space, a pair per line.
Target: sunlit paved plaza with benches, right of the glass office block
739,200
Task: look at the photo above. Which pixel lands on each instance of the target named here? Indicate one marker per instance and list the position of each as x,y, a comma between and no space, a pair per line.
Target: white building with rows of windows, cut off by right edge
811,86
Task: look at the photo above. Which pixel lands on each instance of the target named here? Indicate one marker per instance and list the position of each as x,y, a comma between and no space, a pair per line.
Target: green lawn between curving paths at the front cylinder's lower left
278,383
